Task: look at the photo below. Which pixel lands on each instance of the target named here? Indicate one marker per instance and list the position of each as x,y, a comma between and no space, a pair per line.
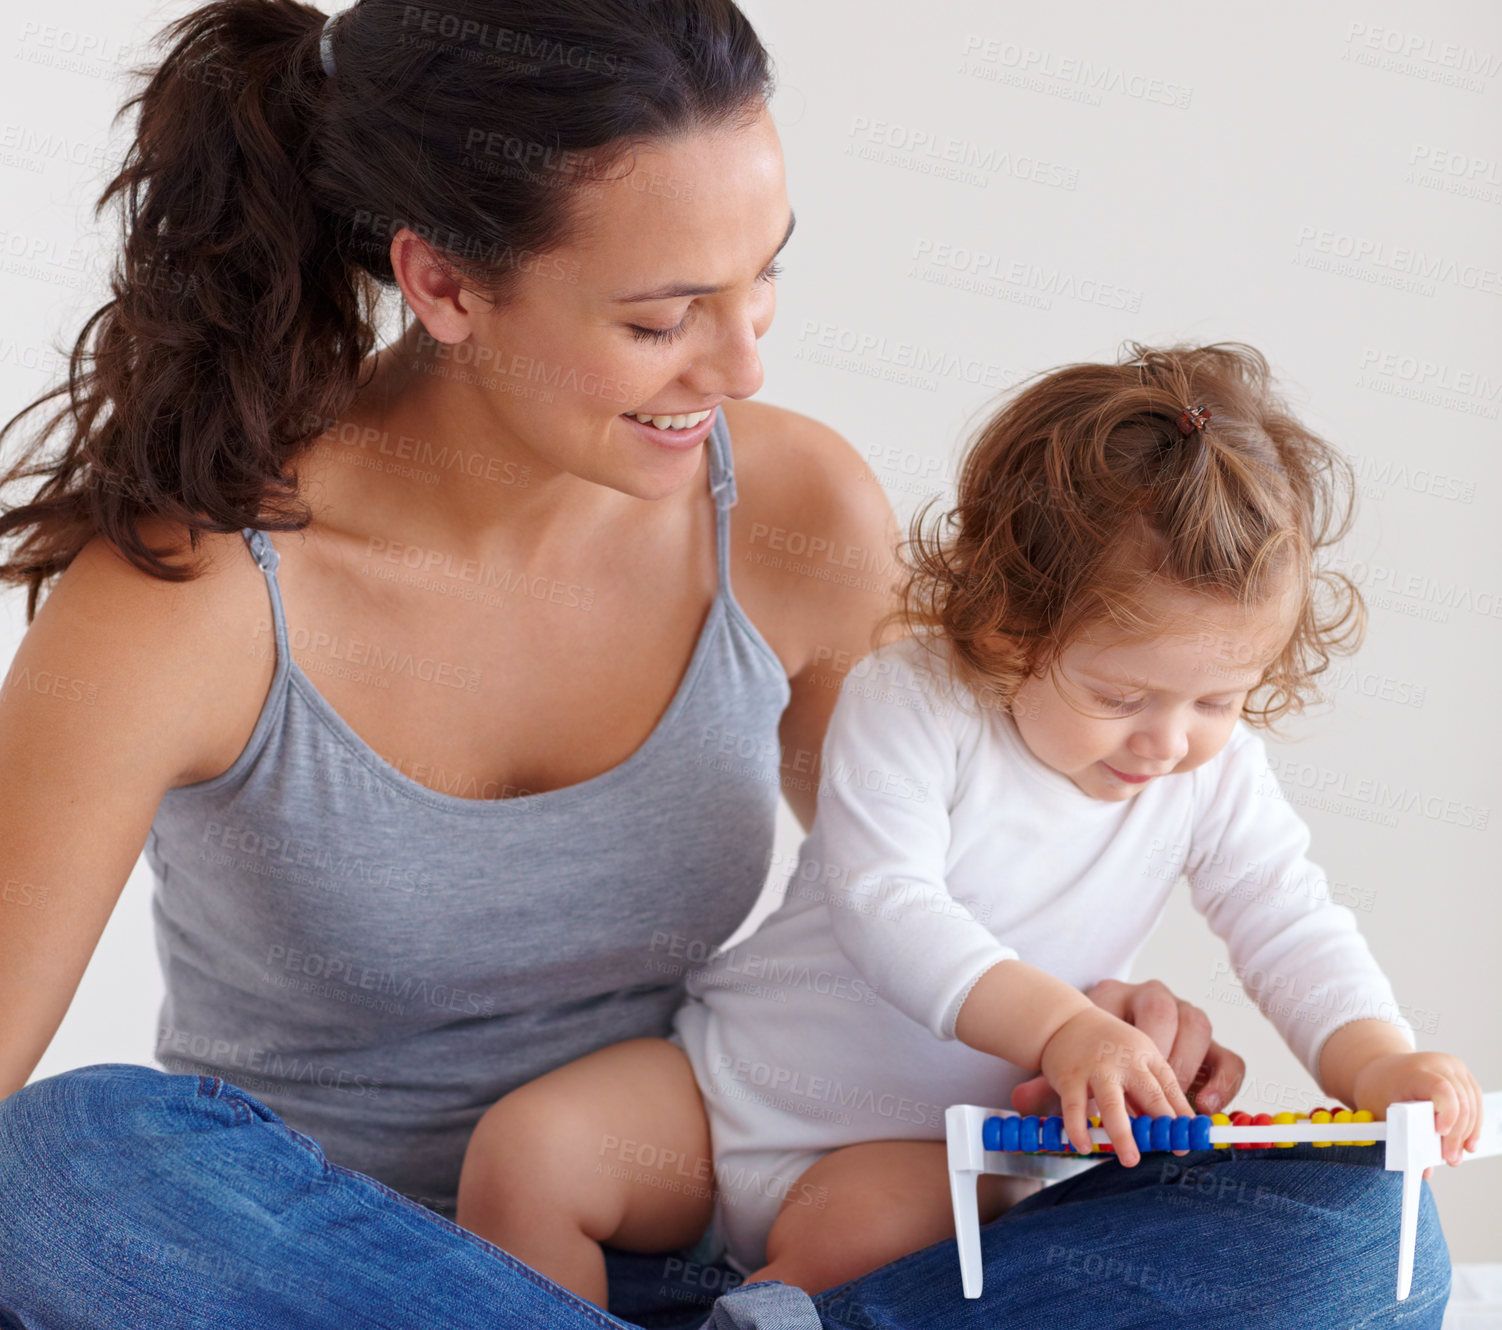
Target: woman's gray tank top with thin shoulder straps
381,963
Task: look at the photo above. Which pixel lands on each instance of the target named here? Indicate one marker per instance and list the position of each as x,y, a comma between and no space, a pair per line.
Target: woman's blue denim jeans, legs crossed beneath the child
131,1197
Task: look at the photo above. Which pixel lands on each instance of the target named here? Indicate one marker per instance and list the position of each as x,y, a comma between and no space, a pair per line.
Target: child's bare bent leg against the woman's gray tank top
612,1147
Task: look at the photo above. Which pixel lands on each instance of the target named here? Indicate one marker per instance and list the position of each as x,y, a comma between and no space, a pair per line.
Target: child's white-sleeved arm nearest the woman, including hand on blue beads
893,764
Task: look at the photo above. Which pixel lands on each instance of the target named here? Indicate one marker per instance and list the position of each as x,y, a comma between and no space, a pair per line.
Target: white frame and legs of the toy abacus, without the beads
1413,1144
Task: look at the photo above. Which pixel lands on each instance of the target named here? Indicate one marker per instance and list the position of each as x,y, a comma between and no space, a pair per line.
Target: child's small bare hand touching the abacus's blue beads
1097,1056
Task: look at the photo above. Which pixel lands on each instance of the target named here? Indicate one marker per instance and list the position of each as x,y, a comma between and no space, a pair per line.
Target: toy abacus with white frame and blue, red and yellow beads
998,1141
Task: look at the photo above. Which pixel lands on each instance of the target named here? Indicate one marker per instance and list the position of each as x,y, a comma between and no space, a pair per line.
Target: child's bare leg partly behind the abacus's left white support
881,1202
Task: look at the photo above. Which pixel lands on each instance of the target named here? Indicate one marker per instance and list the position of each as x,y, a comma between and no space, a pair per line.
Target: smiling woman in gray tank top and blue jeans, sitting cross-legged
523,769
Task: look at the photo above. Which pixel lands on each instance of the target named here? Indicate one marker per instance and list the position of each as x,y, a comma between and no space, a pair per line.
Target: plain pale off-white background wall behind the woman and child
989,190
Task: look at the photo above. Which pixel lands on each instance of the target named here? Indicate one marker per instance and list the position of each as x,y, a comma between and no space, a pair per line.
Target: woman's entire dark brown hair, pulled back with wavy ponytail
261,199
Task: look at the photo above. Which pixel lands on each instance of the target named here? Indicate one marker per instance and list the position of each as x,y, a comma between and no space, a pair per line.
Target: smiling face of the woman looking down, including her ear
653,310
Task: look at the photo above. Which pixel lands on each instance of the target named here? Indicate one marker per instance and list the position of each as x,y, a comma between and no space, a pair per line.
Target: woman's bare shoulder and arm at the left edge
122,688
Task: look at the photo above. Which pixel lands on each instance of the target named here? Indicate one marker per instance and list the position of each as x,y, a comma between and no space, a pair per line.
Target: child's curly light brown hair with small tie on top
1082,491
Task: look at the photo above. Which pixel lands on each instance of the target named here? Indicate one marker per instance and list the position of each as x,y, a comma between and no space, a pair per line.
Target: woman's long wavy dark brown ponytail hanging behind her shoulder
234,321
